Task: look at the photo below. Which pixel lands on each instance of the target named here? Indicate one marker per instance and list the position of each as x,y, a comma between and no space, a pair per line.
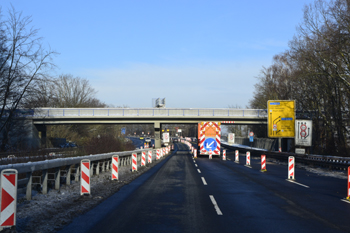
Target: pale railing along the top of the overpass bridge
145,112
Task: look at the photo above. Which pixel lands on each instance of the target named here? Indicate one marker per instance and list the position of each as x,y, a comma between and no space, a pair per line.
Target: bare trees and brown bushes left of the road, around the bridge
26,82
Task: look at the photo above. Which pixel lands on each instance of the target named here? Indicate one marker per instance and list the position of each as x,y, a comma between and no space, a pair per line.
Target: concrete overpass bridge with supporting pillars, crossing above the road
41,117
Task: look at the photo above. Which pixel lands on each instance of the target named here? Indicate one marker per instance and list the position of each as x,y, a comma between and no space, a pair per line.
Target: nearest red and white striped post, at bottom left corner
8,197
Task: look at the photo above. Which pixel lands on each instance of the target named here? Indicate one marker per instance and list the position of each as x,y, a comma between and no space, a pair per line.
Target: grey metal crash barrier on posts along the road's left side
67,169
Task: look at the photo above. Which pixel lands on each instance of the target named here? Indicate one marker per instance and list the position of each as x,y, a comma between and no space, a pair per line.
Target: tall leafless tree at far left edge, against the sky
23,62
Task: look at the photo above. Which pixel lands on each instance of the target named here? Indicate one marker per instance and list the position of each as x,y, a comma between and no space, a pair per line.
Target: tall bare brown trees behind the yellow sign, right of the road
315,71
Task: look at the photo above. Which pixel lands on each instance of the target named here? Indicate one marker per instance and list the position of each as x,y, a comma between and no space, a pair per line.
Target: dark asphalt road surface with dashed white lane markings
202,195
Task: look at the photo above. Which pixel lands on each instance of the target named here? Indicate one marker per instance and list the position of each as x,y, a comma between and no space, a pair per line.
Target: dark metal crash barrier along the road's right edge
334,162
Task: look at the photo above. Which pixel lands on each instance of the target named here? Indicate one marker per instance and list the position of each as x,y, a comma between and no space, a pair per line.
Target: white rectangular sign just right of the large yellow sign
303,132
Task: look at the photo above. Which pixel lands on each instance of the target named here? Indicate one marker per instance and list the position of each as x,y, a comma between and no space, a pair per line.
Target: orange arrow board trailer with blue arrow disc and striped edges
210,137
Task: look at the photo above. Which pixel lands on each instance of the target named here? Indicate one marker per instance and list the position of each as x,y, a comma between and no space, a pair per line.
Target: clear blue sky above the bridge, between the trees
196,54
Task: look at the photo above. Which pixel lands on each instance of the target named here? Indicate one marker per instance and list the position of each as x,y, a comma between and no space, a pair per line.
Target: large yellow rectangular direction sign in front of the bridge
281,118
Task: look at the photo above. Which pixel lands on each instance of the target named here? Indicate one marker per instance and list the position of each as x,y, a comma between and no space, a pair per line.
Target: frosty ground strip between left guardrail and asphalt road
51,212
